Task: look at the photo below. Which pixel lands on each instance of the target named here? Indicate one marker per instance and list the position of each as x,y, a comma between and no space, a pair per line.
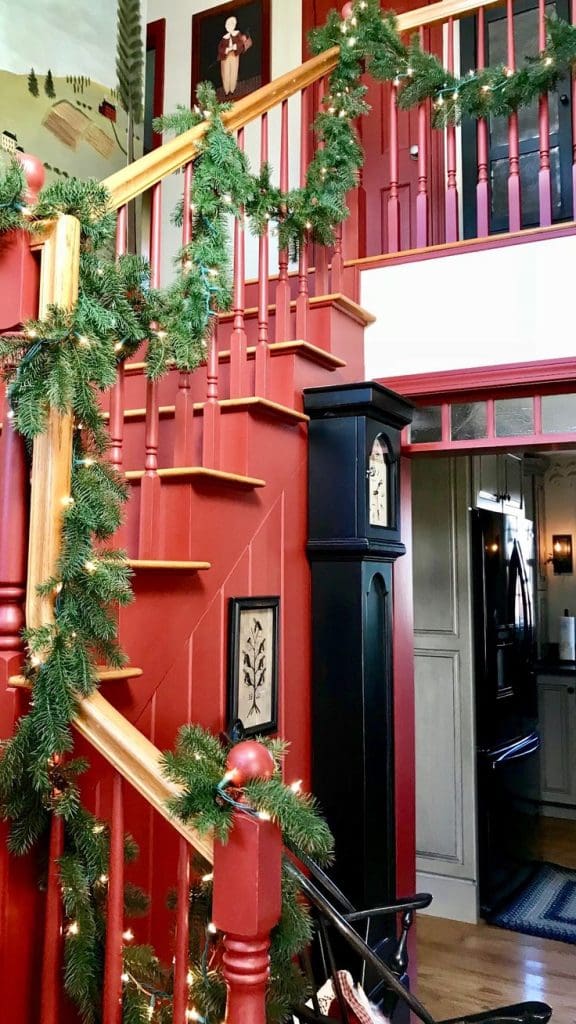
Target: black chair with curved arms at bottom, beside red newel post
380,968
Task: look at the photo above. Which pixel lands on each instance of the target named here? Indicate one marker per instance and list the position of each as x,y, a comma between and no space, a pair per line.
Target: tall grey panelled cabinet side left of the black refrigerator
446,834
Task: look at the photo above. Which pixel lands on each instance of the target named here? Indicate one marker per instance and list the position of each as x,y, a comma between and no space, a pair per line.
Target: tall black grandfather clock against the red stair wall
354,540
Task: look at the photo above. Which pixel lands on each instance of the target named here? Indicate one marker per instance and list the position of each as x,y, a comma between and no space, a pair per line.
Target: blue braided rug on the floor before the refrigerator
546,907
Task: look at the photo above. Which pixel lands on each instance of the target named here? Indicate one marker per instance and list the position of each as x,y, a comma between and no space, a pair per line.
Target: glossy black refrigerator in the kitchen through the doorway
507,708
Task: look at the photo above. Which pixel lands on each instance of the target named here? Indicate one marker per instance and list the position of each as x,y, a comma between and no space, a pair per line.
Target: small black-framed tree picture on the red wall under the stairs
254,635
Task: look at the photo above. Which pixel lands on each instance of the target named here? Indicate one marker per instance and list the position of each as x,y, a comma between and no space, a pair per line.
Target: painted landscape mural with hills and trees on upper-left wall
69,72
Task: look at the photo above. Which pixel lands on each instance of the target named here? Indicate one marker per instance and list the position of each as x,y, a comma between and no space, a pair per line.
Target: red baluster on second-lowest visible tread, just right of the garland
150,492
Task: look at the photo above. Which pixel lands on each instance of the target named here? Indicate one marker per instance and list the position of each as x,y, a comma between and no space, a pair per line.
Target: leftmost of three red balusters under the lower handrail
54,938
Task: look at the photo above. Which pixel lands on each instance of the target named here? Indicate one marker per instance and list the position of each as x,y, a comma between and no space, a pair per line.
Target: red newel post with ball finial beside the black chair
248,894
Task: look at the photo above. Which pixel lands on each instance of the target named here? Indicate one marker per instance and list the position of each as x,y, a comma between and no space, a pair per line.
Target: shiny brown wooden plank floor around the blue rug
464,969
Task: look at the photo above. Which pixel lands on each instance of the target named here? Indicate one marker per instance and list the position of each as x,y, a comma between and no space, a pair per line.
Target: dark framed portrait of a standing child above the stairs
231,49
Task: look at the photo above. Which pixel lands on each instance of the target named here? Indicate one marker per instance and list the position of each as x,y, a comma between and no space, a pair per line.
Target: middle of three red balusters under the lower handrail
112,1009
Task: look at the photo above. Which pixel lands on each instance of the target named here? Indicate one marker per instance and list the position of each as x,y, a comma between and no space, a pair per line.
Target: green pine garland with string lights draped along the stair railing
68,360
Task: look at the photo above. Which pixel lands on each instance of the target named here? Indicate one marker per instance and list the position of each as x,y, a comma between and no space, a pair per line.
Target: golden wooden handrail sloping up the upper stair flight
137,179
